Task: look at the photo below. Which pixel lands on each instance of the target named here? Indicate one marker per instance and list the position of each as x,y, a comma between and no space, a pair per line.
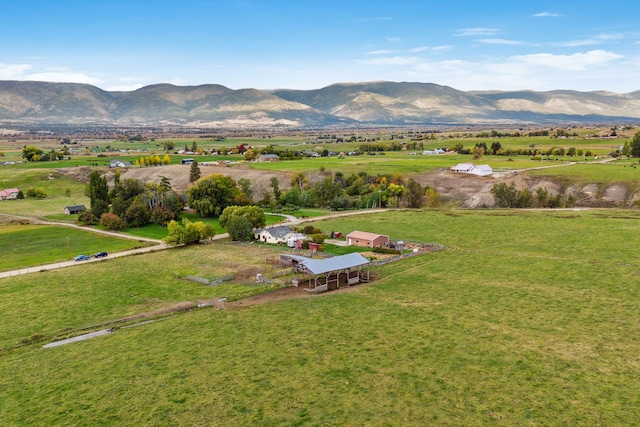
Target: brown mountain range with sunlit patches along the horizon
338,105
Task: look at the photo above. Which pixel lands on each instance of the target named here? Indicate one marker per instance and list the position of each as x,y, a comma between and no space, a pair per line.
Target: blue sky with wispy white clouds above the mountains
307,44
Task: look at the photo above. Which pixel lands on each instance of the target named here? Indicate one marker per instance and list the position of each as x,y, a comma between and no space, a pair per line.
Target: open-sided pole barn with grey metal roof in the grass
330,273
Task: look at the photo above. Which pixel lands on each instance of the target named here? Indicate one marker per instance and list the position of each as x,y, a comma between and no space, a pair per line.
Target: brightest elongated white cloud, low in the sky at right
576,61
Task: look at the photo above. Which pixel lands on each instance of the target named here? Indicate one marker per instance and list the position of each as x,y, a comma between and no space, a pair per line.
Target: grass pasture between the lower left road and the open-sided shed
53,302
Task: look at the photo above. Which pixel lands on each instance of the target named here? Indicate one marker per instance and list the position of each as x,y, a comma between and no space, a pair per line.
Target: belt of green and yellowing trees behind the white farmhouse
131,203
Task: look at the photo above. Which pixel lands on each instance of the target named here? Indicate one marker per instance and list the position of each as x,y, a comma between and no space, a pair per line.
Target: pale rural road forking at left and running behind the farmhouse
160,245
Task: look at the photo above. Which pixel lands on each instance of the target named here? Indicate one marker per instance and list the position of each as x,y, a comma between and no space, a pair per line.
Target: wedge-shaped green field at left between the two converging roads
30,245
